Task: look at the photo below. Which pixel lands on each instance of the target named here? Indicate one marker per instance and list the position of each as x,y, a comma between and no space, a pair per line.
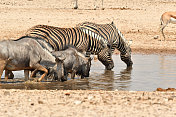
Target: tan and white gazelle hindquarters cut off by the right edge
166,18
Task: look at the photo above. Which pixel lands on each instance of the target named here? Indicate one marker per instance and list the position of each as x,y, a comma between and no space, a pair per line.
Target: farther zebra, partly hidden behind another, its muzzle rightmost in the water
114,37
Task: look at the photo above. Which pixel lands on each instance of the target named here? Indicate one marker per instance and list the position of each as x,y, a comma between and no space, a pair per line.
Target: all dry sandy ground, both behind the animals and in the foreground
138,20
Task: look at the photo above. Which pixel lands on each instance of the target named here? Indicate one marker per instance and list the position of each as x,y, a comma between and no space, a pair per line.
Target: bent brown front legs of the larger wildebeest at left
41,68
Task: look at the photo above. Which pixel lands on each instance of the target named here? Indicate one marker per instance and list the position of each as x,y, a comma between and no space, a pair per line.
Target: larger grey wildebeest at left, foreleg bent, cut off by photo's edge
28,54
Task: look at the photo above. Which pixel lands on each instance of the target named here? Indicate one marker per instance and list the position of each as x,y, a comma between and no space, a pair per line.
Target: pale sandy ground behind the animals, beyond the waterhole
137,20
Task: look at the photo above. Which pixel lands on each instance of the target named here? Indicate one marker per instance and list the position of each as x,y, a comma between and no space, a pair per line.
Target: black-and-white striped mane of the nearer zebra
95,35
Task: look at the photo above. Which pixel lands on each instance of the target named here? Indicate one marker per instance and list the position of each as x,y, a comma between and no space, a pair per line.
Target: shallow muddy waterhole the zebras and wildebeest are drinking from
148,73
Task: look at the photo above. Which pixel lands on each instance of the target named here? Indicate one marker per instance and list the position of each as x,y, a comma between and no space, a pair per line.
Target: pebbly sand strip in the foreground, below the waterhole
83,103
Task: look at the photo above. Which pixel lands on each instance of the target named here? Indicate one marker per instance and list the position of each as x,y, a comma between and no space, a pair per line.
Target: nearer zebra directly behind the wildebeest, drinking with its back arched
55,38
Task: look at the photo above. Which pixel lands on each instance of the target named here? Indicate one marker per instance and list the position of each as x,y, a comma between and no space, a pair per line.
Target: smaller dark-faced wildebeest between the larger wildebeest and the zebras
75,62
